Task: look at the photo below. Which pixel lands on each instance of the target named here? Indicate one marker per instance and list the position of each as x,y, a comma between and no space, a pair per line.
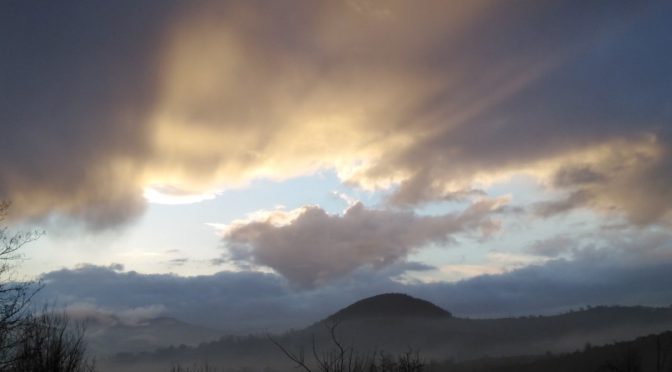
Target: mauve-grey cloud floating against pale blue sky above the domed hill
310,247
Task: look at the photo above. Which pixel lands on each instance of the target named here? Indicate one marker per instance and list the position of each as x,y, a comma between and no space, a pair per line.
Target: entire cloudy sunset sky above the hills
298,155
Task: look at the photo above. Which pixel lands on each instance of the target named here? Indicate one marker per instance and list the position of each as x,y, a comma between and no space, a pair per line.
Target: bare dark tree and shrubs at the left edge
32,342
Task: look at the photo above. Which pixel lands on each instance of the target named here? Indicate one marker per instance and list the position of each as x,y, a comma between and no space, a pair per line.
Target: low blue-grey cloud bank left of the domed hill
235,301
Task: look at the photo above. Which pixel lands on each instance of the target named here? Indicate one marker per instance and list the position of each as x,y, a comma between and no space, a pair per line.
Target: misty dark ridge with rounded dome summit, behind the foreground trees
395,323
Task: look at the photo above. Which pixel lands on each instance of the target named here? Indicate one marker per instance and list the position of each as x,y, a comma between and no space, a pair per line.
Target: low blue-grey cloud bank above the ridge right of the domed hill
554,287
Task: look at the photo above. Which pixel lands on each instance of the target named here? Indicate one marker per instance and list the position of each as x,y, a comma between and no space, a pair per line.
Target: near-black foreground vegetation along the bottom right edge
651,353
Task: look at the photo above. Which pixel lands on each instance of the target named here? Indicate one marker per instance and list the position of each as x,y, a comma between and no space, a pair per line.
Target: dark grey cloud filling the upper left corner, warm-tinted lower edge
77,80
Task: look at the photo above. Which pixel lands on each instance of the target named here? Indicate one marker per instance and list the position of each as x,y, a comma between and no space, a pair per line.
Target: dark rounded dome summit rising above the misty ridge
390,305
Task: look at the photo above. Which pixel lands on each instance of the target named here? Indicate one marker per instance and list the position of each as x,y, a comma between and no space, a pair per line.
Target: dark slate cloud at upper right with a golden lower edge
609,85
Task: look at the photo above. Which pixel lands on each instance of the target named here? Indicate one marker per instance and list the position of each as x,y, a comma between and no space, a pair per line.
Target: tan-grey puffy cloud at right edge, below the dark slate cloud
629,178
